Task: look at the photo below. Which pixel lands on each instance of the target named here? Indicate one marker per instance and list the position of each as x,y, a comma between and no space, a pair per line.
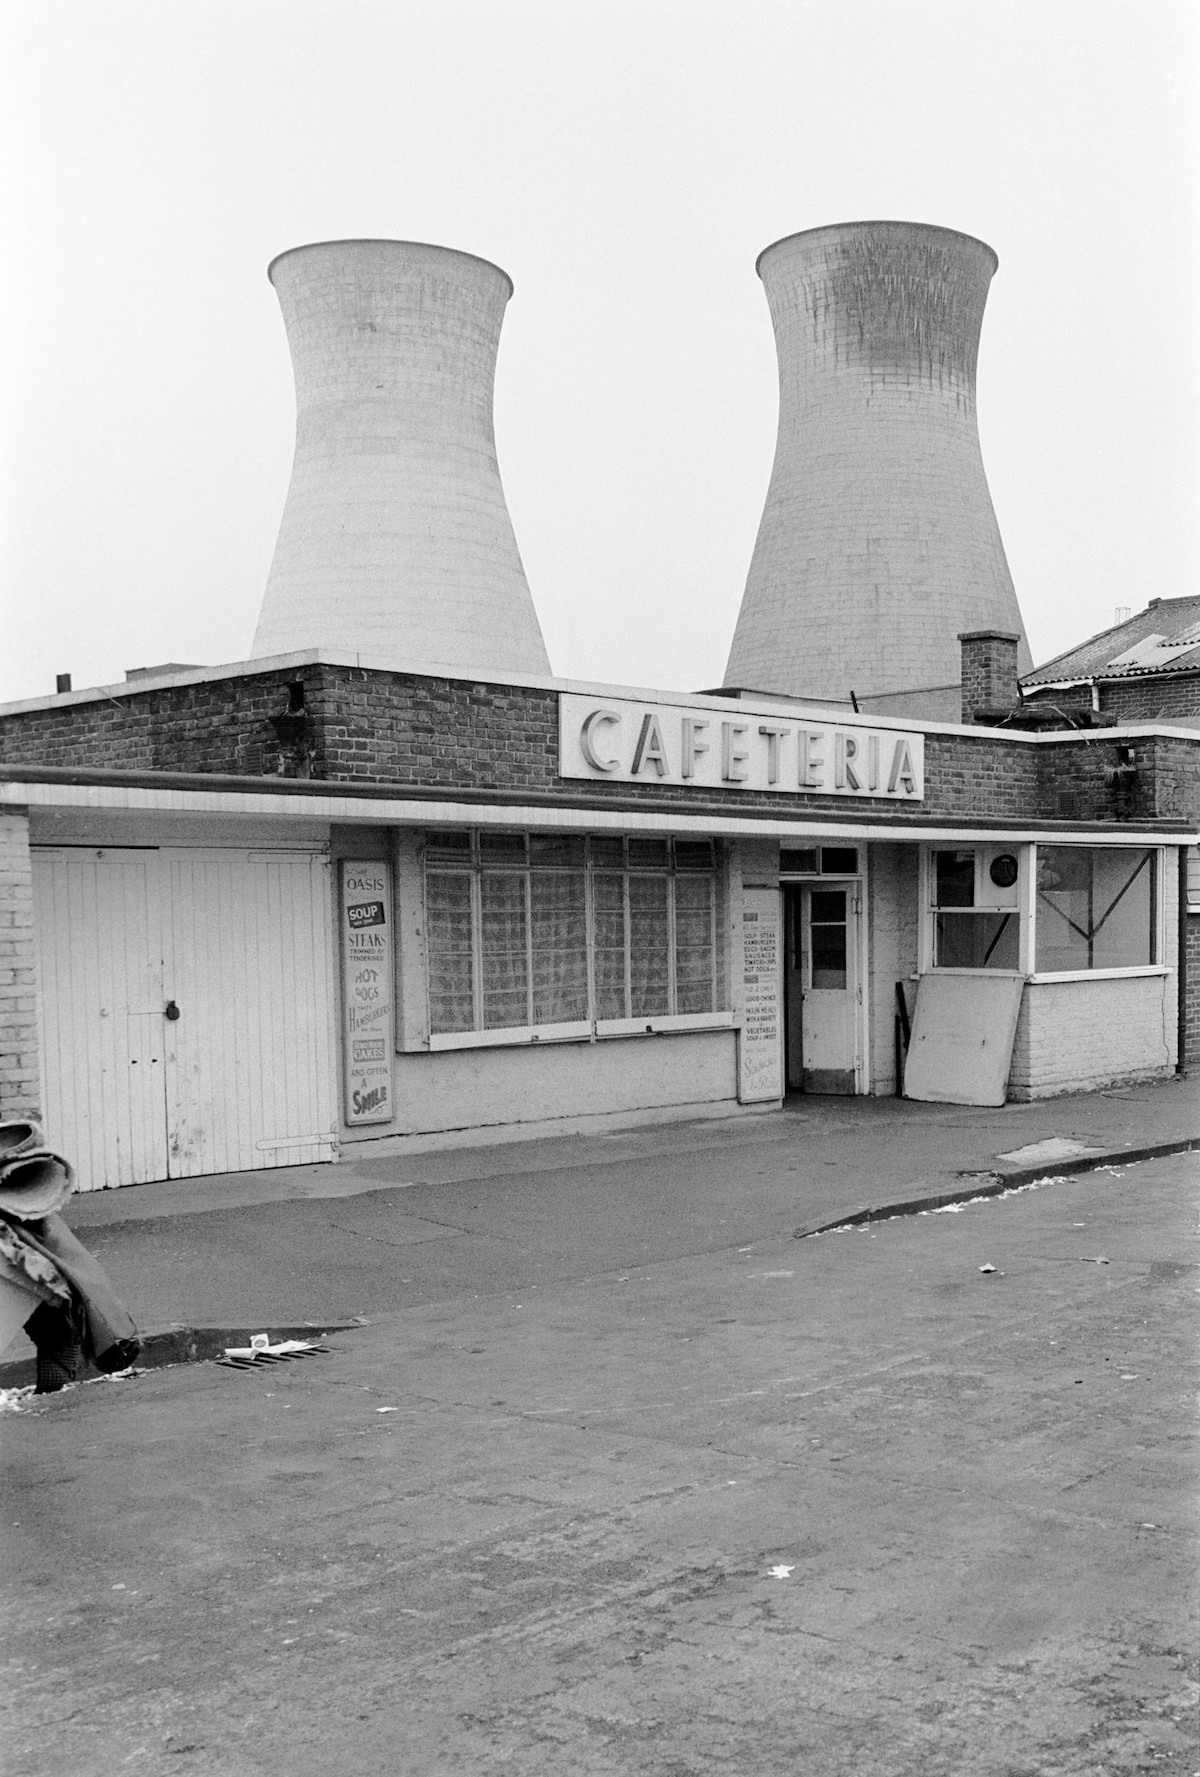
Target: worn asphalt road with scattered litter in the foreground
835,1506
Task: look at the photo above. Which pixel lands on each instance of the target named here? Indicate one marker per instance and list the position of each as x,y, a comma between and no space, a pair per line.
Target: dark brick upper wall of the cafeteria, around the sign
376,728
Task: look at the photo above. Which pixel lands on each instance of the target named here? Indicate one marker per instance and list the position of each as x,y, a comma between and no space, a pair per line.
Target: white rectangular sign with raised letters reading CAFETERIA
630,742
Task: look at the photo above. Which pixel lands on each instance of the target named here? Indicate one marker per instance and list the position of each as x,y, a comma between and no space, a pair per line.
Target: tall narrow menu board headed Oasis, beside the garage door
369,1003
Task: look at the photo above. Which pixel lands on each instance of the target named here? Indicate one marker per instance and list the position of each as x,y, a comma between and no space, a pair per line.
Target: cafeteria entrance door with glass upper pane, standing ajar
822,989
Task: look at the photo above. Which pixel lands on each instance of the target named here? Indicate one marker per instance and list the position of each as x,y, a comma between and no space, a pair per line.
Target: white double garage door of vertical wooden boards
186,1010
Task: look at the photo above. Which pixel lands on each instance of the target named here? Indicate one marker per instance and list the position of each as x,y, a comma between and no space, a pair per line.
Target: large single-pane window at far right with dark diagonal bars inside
1096,909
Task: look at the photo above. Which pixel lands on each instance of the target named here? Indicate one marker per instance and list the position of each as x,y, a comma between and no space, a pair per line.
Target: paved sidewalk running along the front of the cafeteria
378,1234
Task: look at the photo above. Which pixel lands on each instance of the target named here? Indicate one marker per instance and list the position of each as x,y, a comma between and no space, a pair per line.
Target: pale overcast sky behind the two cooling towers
625,164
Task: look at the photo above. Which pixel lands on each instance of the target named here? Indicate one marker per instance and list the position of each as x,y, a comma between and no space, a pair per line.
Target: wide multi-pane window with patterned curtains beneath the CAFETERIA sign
538,932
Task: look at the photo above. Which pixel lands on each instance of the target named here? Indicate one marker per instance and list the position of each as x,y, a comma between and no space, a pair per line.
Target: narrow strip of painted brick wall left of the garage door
20,1078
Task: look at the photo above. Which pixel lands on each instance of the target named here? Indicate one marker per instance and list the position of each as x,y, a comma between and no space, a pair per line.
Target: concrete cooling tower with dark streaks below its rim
879,543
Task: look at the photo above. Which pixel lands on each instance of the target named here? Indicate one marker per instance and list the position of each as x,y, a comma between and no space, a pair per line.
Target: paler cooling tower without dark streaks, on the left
396,541
